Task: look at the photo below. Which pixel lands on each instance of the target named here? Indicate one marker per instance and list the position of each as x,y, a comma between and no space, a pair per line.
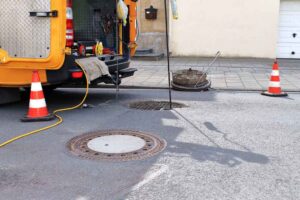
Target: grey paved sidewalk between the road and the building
231,74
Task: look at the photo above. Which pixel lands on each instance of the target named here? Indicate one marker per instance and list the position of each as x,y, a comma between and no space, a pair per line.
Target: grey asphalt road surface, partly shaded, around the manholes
224,145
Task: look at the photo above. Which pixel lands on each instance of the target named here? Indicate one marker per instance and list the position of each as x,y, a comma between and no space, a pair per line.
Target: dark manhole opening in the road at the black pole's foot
155,105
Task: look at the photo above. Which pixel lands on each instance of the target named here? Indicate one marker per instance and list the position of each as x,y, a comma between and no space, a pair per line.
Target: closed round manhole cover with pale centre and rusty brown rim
116,145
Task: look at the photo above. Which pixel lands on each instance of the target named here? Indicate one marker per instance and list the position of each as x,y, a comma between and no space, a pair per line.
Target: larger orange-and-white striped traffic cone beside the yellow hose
37,106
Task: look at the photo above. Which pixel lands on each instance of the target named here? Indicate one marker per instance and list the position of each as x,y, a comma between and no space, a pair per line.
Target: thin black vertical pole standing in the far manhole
168,54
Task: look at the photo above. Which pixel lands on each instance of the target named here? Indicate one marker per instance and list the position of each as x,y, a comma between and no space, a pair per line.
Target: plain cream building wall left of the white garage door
237,28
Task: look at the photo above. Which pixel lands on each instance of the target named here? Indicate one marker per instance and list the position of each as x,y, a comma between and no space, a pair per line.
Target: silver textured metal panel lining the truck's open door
23,36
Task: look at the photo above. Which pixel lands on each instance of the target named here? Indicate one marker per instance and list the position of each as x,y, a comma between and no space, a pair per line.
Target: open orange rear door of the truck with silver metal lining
32,34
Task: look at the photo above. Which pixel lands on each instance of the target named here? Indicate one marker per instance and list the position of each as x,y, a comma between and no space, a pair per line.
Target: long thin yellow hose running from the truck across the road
60,119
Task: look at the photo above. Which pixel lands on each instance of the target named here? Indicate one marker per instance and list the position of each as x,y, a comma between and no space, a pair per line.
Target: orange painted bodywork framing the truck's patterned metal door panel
18,71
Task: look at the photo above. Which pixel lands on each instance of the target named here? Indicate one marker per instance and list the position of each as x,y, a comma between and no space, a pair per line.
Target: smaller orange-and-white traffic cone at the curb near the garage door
274,85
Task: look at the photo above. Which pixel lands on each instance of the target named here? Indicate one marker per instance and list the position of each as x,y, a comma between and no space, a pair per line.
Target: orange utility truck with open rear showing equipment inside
48,35
